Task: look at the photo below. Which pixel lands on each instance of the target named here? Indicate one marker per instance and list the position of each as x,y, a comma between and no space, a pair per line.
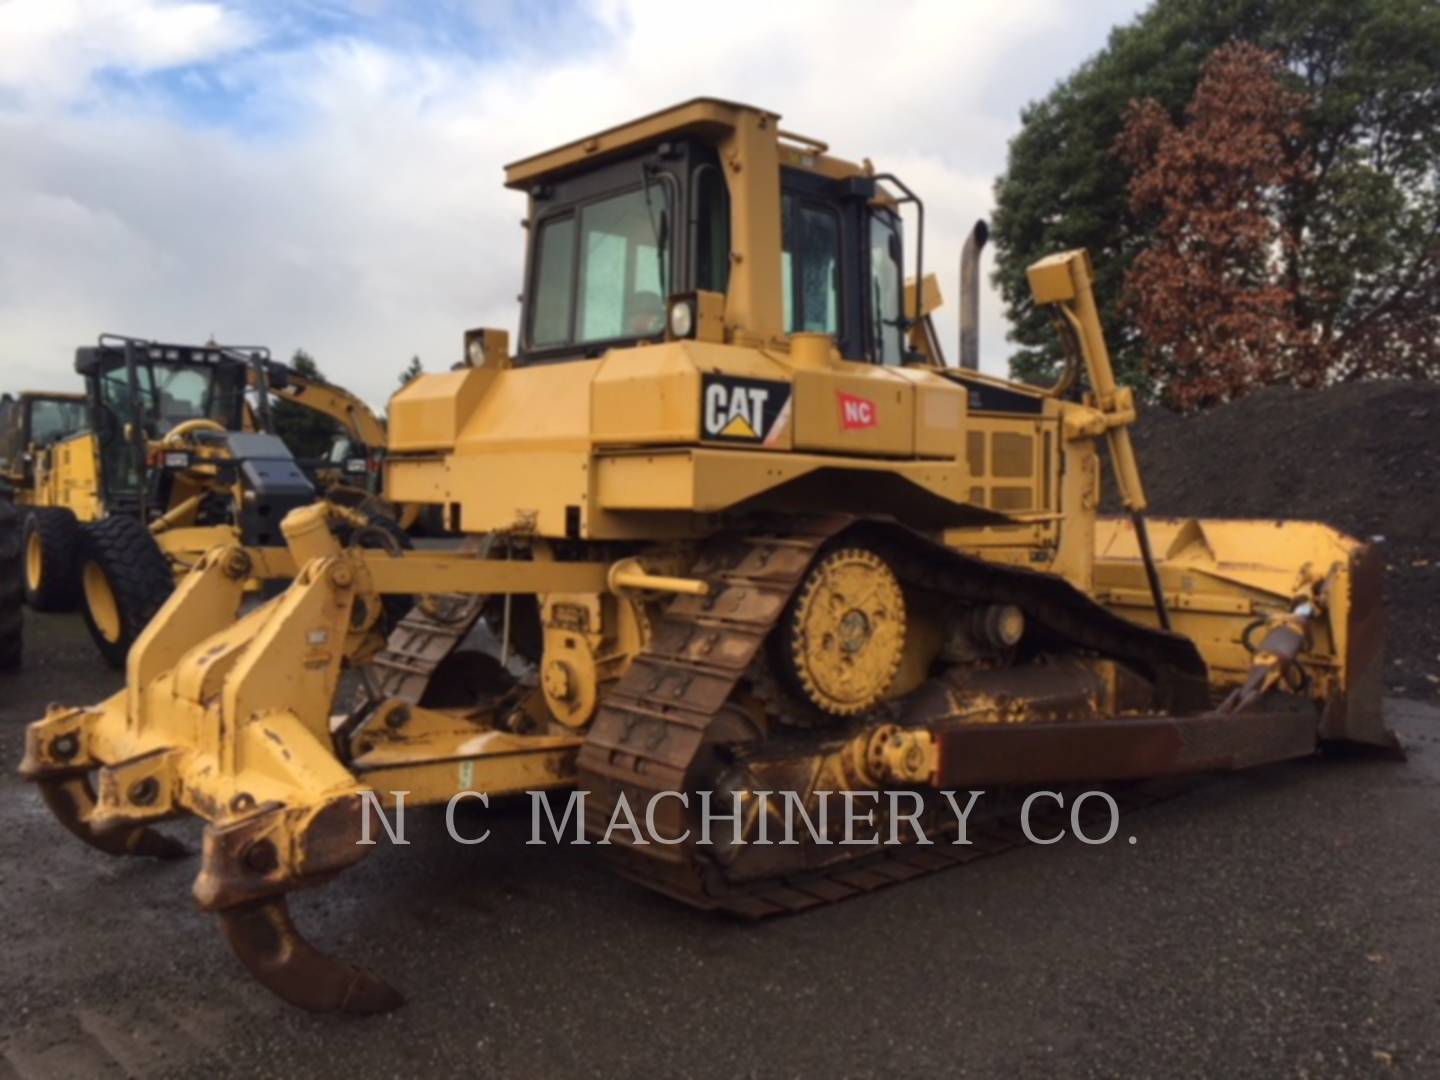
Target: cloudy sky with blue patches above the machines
326,175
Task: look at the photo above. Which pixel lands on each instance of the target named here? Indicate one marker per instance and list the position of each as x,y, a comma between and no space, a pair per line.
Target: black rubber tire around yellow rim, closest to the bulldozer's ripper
138,574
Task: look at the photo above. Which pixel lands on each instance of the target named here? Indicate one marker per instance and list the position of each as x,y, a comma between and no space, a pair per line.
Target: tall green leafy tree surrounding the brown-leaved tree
1367,271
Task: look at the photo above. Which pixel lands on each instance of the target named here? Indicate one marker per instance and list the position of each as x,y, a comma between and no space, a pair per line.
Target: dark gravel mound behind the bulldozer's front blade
1364,459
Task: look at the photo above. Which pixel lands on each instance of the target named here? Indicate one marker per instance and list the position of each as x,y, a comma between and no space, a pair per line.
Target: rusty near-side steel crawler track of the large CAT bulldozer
685,714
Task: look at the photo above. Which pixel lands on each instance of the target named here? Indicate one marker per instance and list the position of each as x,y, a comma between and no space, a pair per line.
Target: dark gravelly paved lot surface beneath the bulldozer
1284,924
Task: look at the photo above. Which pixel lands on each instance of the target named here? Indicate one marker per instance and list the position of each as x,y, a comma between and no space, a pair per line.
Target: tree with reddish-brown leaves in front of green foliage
1213,294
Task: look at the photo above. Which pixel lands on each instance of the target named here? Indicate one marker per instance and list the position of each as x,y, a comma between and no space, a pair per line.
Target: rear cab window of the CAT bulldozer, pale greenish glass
601,270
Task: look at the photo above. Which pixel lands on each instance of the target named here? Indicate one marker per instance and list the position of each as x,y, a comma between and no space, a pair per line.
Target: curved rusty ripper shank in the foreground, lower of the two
264,938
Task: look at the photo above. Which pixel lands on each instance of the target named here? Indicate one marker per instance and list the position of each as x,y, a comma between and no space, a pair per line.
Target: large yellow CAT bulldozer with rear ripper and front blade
751,534
